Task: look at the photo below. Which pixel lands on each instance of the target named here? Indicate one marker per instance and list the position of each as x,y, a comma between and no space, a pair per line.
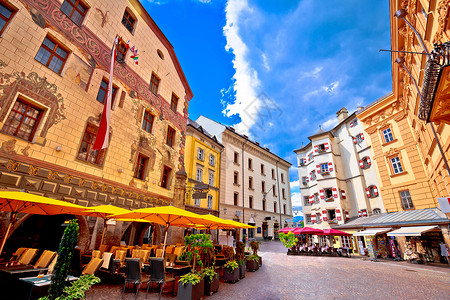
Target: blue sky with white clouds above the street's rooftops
276,70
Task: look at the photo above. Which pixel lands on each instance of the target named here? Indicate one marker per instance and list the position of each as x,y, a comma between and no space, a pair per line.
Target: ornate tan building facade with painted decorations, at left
54,72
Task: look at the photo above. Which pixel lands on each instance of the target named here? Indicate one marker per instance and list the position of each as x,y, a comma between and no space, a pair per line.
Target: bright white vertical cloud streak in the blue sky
245,80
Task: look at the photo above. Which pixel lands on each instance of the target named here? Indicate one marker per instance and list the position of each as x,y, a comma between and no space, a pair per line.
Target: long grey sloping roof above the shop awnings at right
406,217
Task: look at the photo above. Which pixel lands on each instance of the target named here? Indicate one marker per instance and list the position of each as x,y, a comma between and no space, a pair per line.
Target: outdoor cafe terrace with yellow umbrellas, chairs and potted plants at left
136,267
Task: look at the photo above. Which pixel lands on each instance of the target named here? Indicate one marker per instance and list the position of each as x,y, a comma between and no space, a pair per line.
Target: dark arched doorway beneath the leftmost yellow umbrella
43,232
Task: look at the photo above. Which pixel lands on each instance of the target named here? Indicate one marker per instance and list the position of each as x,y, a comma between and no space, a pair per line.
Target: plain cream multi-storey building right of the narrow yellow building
254,183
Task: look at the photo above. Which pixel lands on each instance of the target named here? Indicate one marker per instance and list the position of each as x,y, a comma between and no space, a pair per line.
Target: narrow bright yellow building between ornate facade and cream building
202,160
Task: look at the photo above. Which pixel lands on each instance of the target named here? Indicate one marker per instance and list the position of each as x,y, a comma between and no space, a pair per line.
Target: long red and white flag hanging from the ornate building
102,139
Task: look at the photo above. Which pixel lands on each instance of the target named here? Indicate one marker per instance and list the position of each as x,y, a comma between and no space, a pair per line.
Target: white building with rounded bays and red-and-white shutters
338,180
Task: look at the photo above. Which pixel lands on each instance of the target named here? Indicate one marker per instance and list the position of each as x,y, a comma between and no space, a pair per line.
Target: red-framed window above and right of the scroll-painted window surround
52,55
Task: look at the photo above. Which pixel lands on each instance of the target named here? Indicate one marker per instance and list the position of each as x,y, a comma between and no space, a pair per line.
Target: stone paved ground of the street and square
308,277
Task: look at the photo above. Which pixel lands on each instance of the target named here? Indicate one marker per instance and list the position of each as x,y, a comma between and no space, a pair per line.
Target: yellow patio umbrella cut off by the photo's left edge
22,202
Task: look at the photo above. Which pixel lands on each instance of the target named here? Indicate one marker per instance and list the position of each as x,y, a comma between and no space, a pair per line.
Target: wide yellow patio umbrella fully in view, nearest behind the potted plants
167,216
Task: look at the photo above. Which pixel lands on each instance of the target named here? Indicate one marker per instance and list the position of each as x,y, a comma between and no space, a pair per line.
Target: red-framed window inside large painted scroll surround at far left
23,120
